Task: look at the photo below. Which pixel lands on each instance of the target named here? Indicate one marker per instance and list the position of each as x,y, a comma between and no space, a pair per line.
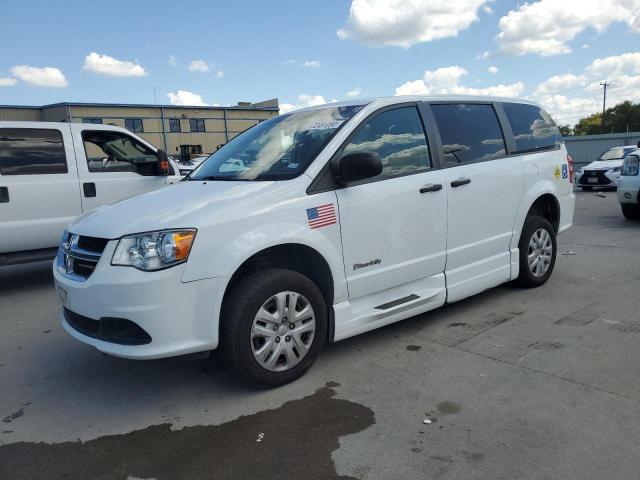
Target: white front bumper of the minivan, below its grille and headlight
180,317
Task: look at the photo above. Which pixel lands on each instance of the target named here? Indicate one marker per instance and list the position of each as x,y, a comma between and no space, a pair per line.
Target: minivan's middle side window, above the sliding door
469,133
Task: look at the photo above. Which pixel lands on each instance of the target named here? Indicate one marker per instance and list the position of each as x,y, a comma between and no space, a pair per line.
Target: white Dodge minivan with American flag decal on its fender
318,225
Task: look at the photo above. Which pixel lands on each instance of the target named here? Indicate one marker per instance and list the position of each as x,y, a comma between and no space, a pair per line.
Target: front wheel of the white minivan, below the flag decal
274,325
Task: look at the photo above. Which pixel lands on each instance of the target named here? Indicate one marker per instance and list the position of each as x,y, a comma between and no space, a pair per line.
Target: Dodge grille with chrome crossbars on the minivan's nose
79,255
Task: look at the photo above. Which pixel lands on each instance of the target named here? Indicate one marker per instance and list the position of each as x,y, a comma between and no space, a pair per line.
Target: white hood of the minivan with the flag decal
189,204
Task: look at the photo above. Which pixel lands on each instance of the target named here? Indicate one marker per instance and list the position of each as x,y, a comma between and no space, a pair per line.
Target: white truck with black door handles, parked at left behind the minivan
50,173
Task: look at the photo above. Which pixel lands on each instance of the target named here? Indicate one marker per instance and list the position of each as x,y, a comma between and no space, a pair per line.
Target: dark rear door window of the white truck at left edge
31,151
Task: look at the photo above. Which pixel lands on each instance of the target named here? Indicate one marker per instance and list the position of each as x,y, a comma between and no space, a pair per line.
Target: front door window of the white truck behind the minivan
109,151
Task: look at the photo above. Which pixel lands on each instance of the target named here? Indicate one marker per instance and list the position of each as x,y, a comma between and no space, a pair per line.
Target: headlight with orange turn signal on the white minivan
154,250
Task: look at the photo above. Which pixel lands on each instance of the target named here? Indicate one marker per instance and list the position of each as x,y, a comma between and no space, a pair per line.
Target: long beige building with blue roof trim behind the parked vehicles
182,131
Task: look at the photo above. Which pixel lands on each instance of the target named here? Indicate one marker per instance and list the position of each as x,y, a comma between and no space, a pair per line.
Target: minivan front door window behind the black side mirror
397,137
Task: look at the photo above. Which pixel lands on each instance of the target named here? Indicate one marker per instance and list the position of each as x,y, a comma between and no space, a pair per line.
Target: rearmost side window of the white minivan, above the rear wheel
532,127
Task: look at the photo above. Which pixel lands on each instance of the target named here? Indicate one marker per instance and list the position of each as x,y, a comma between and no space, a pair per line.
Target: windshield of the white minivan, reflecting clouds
278,149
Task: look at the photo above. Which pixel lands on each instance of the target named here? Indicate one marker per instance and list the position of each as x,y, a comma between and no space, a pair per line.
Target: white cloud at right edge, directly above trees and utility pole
584,90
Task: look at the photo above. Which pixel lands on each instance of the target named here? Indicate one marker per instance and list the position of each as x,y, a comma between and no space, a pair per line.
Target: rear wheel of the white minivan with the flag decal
537,252
